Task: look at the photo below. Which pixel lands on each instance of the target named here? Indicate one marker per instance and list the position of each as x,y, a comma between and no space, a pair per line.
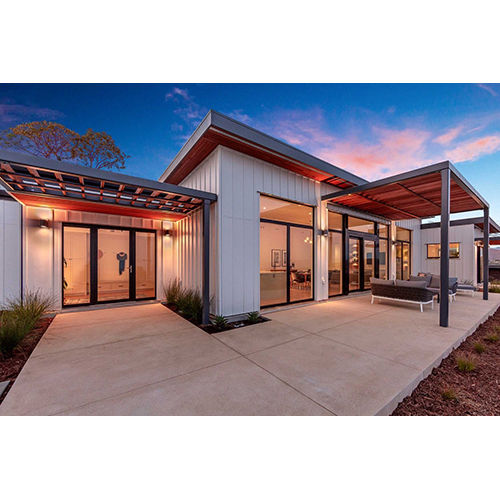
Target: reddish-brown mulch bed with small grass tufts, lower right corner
472,393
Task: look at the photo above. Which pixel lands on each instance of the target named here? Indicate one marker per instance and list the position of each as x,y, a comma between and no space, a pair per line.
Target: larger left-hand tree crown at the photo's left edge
47,139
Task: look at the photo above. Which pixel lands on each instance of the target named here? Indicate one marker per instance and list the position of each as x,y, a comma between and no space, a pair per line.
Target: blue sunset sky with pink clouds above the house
373,130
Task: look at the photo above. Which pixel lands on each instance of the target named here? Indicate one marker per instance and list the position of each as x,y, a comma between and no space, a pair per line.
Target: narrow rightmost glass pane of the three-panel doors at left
145,269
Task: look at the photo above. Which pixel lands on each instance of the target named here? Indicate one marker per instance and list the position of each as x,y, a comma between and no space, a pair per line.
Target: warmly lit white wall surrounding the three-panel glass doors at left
42,267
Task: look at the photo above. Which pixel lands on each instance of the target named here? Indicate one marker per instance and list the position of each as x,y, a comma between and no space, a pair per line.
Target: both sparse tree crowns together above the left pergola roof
55,141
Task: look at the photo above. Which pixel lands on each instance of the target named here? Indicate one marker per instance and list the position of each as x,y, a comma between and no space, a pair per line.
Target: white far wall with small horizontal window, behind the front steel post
463,268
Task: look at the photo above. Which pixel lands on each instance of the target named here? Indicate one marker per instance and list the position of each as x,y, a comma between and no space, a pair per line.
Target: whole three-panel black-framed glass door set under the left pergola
105,264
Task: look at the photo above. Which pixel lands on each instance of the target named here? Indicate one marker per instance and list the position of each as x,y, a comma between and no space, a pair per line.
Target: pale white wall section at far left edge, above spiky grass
10,250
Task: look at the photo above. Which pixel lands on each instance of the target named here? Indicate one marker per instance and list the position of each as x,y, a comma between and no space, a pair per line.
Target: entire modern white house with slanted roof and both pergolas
251,221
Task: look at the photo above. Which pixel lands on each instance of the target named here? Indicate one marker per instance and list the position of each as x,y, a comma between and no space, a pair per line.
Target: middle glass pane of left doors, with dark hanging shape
113,264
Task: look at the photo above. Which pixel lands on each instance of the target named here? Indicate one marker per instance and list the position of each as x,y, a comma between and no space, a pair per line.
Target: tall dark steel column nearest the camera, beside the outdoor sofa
444,302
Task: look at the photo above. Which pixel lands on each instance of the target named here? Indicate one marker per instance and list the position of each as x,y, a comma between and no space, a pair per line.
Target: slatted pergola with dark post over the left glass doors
41,182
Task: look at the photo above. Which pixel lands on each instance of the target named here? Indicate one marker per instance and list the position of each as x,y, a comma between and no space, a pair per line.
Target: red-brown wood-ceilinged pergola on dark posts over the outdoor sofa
430,191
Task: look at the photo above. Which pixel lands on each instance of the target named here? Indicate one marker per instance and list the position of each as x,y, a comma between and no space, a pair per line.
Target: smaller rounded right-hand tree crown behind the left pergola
98,150
